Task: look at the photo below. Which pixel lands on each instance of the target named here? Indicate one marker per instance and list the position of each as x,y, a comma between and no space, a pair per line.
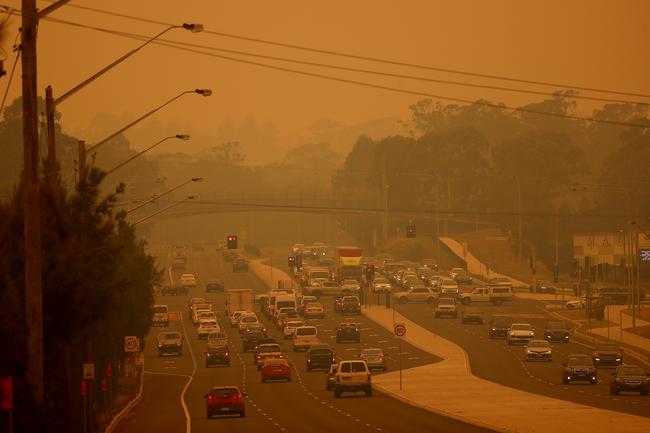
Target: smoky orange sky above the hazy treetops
270,111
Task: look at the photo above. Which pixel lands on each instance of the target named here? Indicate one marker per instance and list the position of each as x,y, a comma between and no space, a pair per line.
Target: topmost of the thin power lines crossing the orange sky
373,59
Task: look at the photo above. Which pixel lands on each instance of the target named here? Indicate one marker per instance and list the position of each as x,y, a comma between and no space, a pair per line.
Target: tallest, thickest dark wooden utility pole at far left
32,225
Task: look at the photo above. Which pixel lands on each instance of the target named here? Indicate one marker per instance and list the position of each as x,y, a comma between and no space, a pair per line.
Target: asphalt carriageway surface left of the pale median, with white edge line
174,386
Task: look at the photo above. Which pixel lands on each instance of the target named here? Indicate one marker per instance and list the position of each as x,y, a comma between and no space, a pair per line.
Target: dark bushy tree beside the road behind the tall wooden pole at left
97,285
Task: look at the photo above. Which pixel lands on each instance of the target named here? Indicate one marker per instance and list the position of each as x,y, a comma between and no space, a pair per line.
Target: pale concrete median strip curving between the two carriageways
449,388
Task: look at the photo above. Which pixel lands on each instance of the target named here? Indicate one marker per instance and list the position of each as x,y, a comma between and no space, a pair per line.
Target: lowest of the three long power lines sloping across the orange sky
182,47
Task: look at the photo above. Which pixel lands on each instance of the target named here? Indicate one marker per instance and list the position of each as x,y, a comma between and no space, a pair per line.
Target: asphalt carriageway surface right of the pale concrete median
498,362
